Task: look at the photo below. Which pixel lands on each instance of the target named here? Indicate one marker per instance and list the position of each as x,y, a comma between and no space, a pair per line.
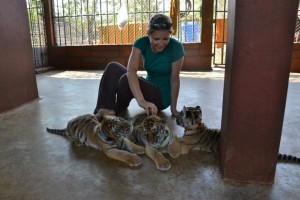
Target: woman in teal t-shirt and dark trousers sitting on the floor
162,58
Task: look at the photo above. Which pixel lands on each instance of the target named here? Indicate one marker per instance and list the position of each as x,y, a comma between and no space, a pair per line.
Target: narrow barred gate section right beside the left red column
35,10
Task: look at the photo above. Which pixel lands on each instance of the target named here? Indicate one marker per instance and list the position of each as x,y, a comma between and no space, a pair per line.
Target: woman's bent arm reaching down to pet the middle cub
132,68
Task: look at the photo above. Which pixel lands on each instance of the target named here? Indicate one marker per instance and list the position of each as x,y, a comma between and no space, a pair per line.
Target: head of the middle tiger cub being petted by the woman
155,130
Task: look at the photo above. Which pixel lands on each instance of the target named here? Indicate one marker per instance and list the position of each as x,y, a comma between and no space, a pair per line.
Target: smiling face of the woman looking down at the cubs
159,39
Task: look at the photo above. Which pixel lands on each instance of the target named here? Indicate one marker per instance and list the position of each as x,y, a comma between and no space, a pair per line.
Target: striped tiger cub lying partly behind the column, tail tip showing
197,136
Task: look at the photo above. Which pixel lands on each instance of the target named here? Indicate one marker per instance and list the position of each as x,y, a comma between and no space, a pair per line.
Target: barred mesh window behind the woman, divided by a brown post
93,22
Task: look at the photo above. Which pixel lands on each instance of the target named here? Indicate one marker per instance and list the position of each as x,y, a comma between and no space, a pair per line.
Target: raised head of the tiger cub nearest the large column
190,117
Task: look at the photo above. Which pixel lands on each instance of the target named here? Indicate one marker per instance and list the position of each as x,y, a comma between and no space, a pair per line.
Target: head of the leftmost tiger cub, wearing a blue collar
116,128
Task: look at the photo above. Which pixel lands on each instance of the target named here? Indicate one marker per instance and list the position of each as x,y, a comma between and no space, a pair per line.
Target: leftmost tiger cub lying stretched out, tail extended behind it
106,133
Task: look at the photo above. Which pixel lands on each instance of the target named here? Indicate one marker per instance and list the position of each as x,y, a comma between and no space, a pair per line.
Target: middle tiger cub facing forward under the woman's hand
152,132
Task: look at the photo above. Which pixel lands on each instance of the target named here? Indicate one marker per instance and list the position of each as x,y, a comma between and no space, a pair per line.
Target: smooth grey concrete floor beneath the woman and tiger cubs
38,165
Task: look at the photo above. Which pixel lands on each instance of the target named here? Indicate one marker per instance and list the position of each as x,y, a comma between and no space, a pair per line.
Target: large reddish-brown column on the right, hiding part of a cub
259,48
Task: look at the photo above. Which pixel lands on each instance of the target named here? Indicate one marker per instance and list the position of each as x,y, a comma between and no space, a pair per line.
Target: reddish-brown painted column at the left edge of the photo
17,75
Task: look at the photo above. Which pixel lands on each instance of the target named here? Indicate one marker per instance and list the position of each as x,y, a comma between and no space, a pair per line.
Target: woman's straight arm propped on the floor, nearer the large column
175,84
